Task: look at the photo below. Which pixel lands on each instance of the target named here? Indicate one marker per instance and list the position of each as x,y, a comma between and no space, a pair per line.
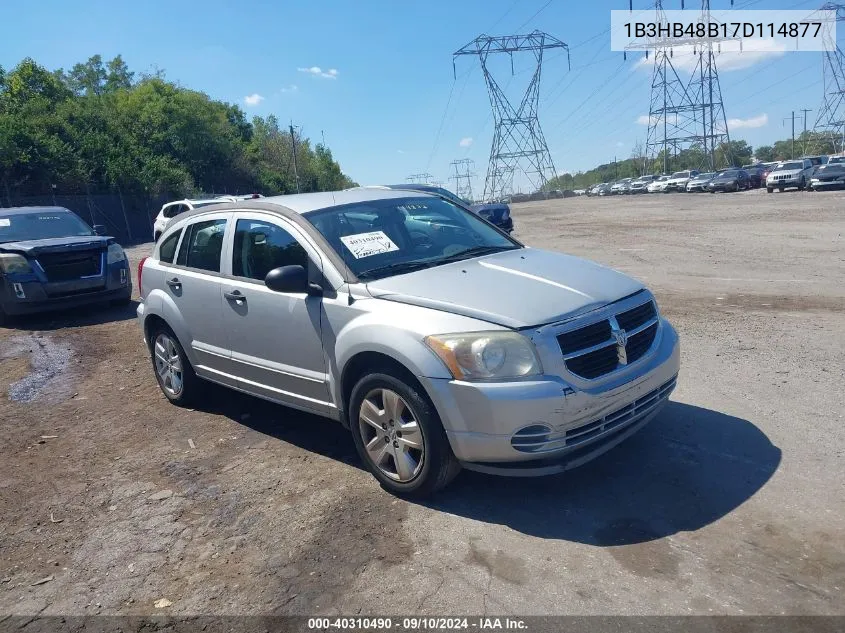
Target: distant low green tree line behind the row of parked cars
741,153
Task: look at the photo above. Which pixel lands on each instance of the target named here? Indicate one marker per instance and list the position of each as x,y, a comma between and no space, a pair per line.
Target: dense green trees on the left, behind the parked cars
99,128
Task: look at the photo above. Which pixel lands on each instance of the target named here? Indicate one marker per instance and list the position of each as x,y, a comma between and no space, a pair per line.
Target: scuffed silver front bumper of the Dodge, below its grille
482,419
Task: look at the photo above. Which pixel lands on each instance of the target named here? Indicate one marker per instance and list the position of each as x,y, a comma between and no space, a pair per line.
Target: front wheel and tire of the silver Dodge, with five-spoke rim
392,407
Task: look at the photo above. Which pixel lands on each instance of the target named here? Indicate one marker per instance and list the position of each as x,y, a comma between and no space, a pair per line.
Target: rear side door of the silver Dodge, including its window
193,284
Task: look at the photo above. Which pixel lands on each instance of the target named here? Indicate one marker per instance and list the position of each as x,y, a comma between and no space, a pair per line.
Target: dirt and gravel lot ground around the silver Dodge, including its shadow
732,501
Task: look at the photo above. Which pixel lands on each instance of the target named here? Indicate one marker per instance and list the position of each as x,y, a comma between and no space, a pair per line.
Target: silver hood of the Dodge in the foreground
518,289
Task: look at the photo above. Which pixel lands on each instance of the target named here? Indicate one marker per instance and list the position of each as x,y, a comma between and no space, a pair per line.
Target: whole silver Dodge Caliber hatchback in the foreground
436,339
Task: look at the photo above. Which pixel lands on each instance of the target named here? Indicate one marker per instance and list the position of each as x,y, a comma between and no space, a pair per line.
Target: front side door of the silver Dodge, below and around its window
275,337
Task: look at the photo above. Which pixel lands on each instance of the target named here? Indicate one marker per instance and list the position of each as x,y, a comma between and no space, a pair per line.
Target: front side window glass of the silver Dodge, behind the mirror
260,247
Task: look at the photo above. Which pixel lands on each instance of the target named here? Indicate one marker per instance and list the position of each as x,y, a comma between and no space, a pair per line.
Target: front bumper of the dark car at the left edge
22,294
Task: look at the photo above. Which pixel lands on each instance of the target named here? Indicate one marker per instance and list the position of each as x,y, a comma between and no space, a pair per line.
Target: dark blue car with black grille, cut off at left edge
51,259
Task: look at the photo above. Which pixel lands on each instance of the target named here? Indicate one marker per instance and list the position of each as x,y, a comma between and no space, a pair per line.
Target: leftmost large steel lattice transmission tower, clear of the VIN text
518,141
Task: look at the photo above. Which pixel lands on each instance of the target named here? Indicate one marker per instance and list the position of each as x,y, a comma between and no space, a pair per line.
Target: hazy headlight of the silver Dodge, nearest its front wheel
486,355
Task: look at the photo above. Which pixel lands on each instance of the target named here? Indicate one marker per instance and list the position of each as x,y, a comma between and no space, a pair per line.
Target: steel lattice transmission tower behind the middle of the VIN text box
686,114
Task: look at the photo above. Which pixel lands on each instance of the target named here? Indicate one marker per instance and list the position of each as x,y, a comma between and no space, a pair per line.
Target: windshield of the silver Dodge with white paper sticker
381,238
